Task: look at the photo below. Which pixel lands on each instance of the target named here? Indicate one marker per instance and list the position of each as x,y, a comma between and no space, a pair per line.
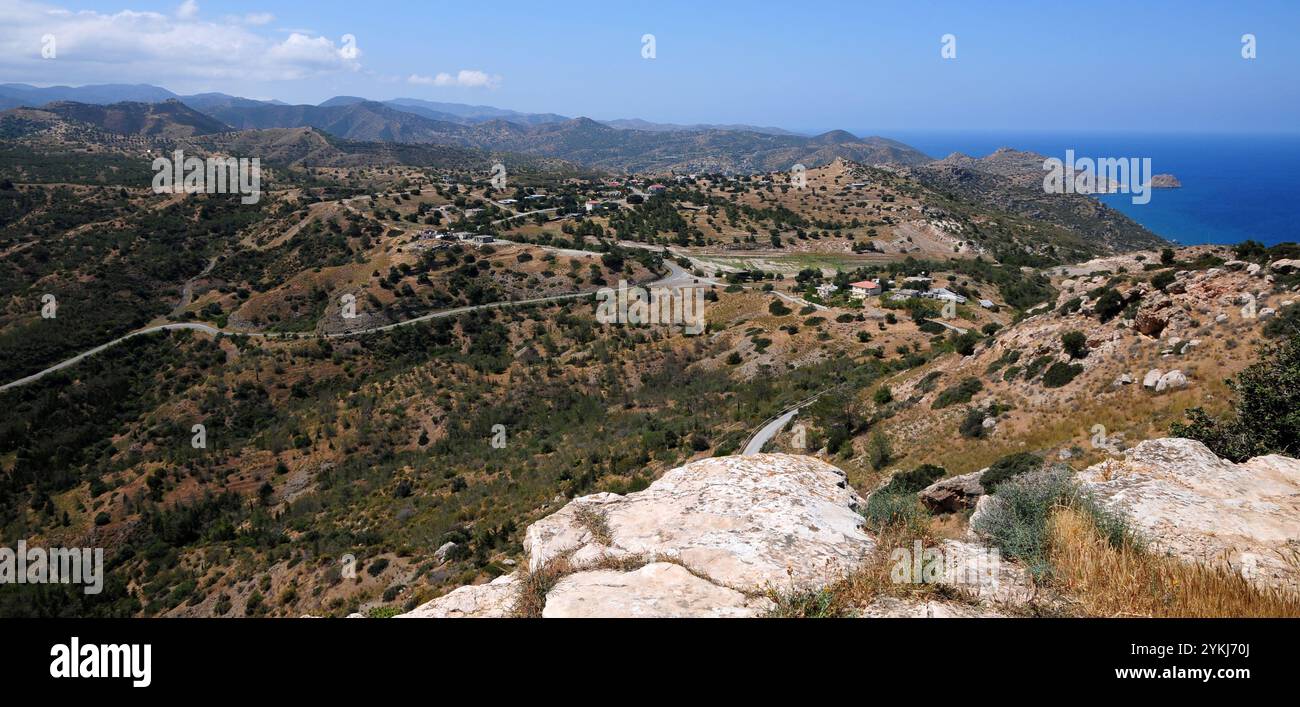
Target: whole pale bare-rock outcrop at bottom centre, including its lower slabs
707,540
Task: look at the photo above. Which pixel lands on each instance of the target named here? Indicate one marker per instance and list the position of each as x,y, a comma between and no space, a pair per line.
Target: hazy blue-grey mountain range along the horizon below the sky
619,146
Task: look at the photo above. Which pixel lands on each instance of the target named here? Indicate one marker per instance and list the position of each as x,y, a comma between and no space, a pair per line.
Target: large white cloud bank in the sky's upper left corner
149,47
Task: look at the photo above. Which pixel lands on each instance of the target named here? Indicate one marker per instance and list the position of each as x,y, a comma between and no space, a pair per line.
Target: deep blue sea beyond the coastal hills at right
1234,186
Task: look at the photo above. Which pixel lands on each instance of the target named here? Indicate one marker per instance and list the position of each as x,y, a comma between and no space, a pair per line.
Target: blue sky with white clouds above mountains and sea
809,66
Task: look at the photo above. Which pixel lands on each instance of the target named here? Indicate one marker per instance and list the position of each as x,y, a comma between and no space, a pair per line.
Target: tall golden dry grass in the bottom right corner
1130,582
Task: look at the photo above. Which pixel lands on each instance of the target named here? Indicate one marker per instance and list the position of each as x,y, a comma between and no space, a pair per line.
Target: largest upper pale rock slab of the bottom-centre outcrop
748,523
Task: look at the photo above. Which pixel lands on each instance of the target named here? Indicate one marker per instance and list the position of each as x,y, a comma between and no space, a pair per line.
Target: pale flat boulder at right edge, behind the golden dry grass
1189,502
